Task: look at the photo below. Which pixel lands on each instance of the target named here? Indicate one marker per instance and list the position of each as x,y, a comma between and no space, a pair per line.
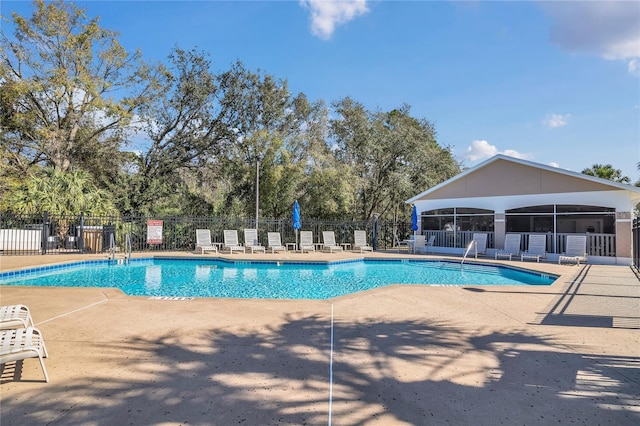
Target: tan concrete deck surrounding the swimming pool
400,355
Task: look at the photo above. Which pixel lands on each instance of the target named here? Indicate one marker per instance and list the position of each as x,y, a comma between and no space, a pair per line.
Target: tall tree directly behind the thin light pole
265,120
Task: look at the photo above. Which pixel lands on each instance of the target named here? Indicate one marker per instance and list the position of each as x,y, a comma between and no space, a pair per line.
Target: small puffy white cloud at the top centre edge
326,14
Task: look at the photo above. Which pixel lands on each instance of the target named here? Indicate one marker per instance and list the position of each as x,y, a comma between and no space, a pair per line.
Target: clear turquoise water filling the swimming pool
267,280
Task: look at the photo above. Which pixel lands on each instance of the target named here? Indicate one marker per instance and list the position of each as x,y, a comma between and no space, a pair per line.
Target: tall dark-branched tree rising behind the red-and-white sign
183,126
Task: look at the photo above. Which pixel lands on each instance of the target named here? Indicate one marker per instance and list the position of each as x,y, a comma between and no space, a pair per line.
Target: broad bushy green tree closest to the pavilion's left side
388,155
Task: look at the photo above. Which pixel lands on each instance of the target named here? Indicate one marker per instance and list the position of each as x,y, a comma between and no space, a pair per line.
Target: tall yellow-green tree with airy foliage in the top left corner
68,87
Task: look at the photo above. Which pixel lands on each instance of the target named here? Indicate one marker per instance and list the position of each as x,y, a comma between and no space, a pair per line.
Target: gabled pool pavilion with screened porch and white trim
508,195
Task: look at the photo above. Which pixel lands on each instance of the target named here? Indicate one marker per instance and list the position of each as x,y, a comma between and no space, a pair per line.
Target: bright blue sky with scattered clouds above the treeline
552,82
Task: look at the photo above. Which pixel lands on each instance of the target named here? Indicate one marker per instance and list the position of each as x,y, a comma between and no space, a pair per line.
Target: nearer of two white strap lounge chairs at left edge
22,343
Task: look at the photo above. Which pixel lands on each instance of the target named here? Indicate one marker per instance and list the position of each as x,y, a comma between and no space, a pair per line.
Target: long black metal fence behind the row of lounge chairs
44,233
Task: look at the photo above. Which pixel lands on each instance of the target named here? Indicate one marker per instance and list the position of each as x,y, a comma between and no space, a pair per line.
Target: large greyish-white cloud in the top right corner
609,29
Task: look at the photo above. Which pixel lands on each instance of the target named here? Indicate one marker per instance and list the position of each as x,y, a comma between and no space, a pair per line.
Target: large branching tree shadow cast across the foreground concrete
383,372
